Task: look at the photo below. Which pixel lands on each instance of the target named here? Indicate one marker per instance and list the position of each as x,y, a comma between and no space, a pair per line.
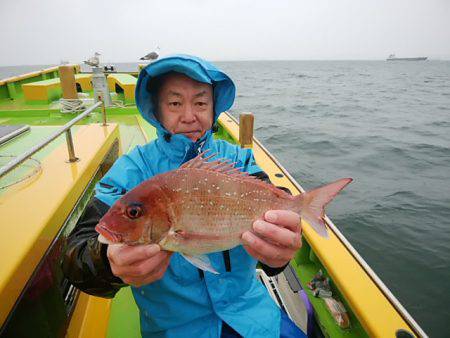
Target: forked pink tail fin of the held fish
312,204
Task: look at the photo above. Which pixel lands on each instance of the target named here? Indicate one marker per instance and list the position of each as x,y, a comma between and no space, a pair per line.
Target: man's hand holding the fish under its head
138,265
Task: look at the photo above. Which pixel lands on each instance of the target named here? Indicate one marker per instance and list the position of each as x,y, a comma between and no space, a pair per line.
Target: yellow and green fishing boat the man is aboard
47,179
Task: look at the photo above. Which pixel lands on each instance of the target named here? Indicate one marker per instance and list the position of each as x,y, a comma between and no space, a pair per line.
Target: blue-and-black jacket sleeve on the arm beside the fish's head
85,263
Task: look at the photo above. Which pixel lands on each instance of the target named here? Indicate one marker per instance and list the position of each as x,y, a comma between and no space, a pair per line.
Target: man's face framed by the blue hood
186,106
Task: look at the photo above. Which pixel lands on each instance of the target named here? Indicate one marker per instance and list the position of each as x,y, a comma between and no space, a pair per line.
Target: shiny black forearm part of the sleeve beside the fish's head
85,263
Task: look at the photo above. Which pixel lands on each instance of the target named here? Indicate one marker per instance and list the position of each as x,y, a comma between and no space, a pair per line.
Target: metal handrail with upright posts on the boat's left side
64,129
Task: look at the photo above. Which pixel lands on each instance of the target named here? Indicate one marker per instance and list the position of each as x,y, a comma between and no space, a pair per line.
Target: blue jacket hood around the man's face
194,67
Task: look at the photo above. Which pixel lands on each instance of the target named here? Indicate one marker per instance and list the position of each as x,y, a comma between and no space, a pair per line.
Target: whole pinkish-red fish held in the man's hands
204,207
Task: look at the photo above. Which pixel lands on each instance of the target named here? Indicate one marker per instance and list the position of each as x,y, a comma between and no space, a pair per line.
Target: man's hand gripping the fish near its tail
275,239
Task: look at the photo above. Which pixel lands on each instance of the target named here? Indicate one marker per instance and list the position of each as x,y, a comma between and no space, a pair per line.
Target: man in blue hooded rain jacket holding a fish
182,96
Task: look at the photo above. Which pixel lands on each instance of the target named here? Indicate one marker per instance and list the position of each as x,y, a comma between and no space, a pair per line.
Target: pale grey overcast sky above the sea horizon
46,31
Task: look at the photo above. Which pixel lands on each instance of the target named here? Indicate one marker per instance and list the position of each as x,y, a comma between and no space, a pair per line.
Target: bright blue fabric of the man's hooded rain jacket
183,303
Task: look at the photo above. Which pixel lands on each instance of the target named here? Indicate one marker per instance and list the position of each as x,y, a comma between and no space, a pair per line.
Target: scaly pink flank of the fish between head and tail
217,209
